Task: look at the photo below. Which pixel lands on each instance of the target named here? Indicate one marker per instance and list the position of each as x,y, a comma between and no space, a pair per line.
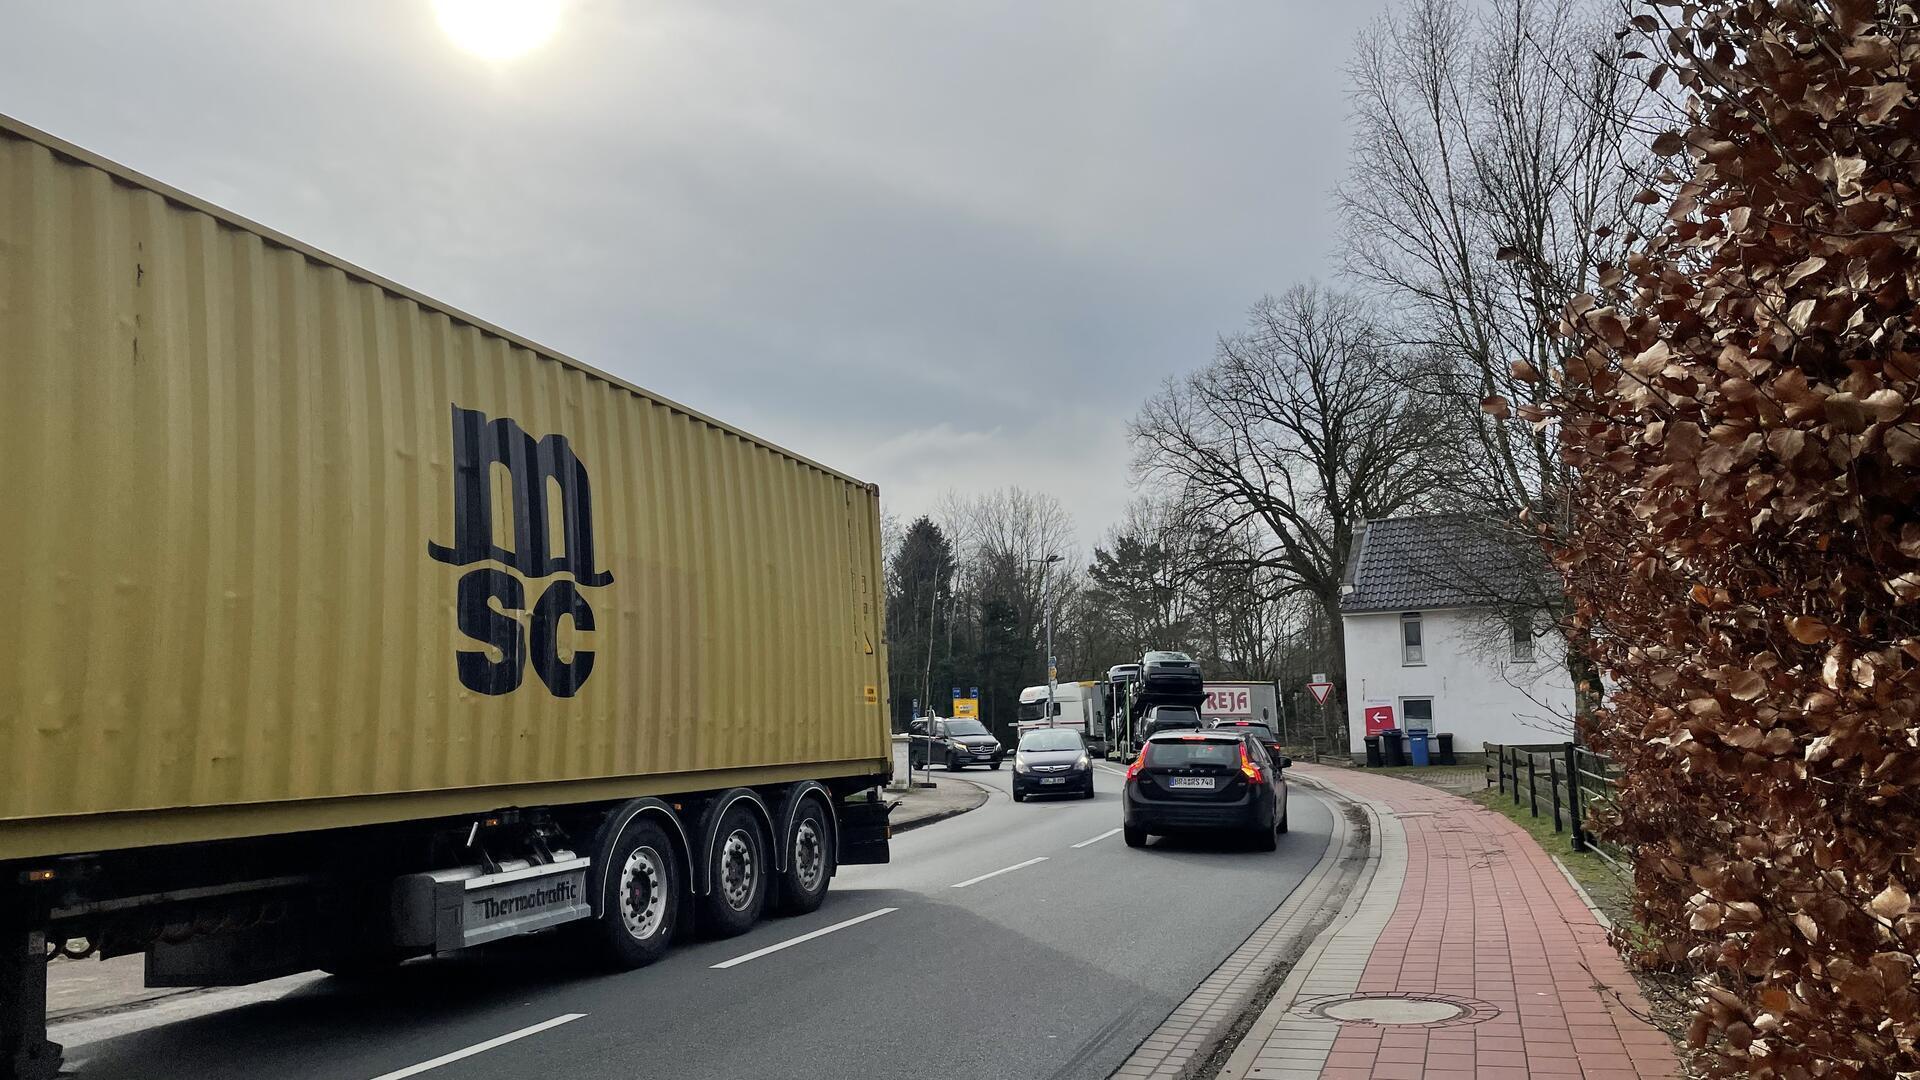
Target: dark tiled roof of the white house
1420,564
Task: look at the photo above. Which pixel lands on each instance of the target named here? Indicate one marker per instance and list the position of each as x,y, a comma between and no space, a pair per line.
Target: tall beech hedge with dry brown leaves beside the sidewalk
1742,414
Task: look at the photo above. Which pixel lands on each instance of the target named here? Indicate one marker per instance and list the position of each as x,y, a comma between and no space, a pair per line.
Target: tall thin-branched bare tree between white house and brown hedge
1493,178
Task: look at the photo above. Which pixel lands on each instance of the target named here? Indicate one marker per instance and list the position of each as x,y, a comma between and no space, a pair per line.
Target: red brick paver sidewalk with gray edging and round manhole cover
1462,908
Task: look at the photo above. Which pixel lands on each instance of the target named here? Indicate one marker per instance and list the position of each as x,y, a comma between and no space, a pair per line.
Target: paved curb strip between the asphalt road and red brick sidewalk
1214,1016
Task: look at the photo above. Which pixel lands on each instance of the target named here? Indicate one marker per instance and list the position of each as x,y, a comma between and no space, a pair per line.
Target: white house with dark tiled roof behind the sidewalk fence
1435,639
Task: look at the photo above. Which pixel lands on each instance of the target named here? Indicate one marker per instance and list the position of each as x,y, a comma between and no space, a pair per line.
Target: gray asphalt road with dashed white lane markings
1013,941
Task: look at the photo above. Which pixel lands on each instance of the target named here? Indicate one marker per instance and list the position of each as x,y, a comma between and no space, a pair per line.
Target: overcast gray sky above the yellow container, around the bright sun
942,247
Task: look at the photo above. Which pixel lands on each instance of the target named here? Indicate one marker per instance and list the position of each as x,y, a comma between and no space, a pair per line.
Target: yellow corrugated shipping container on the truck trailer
291,547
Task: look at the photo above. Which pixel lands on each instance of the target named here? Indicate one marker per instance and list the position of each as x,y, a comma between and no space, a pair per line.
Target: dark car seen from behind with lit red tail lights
1205,781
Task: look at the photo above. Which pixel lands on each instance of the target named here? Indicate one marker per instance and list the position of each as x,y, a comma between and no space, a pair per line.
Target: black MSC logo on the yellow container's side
491,599
